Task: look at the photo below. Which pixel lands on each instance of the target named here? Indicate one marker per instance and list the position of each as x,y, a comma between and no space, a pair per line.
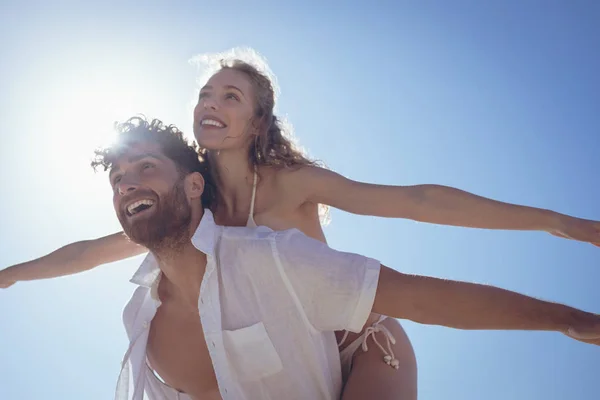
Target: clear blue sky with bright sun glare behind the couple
499,99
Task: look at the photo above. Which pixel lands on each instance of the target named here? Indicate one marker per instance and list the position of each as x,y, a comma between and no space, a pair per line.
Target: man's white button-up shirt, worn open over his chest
269,303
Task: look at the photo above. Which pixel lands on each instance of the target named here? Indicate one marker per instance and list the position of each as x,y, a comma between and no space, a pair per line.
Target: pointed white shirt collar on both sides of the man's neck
204,239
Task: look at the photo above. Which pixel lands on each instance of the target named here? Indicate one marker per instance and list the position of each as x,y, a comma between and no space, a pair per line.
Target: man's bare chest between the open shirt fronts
177,351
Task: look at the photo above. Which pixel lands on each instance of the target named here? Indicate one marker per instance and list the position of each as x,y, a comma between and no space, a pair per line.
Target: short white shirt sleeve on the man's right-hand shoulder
336,289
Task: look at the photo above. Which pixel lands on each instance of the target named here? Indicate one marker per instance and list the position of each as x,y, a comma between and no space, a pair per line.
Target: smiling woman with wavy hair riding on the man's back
263,180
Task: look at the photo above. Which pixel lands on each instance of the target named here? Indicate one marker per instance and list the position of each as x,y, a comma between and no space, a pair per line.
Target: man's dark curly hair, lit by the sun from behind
174,146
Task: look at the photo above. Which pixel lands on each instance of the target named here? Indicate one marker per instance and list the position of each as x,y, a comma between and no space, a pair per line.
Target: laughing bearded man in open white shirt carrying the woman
249,313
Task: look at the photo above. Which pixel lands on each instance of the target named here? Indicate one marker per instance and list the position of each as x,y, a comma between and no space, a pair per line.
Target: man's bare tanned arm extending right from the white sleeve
463,305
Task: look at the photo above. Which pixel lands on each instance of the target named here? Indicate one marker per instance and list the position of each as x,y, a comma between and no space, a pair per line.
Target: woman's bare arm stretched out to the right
434,204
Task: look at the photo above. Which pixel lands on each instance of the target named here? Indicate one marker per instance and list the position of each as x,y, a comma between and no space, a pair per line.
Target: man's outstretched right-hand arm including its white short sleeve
339,290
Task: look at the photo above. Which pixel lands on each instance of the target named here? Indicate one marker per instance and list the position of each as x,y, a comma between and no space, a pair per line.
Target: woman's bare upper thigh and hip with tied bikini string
370,376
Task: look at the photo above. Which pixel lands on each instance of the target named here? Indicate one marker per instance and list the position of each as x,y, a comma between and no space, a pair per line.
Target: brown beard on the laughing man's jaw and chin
168,226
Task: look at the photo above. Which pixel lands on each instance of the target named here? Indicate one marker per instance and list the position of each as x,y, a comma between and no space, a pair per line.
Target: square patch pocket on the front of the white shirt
251,353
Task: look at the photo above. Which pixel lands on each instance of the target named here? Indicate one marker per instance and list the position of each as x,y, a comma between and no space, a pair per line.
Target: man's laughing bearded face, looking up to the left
149,197
